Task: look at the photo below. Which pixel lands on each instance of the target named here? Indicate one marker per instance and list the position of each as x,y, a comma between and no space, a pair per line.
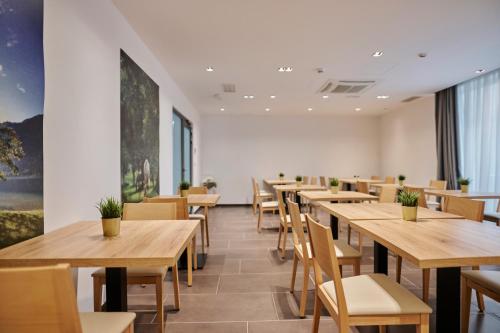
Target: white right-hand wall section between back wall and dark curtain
408,142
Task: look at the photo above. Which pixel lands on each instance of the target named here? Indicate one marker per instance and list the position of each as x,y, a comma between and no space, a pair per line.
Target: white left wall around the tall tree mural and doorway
82,112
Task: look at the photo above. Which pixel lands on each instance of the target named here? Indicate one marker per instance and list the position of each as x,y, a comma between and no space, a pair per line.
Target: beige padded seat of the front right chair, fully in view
376,294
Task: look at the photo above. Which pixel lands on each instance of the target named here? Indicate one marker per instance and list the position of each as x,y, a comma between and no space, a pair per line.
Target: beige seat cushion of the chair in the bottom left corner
109,322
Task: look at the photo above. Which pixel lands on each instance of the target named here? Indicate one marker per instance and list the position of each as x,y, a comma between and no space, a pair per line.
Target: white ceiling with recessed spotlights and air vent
246,41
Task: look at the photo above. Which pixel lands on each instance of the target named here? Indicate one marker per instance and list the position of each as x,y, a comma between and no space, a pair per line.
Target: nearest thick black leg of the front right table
448,300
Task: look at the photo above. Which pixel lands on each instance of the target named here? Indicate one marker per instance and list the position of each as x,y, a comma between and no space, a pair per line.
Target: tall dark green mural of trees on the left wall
140,113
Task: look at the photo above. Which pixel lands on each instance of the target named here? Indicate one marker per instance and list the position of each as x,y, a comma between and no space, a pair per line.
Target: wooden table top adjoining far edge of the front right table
378,211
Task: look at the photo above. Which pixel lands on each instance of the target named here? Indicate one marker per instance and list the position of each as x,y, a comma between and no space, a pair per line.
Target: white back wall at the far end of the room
235,148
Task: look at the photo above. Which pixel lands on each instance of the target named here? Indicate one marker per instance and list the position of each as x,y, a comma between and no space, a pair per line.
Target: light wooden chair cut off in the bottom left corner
43,299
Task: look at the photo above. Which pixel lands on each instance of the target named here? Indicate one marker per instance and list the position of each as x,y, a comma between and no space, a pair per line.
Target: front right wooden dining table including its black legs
444,244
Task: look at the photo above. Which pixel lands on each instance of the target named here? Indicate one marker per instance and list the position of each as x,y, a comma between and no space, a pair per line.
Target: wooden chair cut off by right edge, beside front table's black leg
484,282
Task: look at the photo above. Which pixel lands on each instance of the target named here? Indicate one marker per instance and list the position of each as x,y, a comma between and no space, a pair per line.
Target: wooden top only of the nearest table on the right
436,243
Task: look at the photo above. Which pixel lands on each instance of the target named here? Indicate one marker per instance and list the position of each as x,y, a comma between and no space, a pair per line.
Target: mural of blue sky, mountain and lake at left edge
21,120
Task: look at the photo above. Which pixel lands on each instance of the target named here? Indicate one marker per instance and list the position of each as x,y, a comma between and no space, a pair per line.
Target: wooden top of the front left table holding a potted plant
81,244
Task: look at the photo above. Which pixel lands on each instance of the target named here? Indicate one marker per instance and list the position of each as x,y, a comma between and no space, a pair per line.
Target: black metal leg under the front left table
116,289
